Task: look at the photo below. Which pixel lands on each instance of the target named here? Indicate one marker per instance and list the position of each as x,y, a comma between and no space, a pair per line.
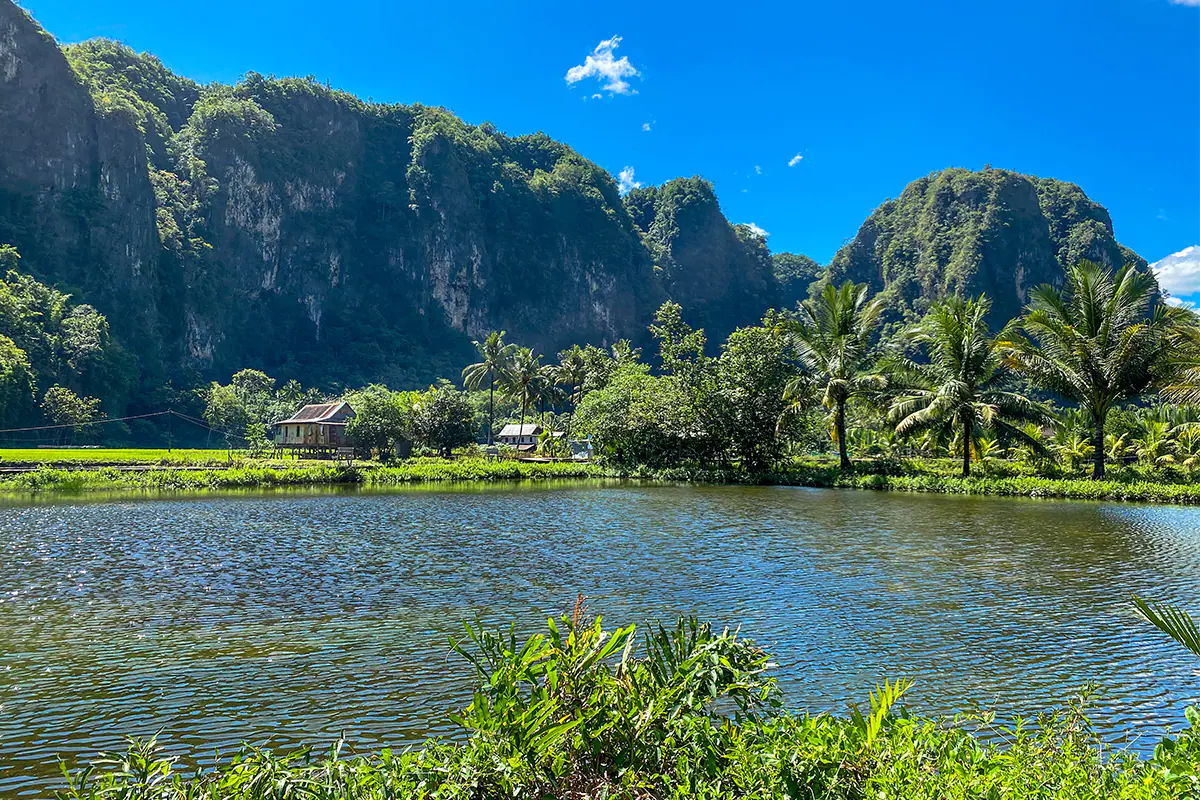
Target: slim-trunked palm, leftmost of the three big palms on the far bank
833,340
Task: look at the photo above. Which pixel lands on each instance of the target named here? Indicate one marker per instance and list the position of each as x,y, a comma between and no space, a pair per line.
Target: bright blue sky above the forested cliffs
871,94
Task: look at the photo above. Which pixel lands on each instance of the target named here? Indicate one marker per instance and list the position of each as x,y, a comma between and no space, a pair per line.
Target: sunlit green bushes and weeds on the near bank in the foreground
681,712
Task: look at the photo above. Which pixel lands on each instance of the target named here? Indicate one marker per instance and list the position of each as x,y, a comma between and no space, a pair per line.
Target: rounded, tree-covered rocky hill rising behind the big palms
961,232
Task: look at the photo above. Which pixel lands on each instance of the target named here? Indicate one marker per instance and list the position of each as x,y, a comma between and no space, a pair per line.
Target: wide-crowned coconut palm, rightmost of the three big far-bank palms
1097,344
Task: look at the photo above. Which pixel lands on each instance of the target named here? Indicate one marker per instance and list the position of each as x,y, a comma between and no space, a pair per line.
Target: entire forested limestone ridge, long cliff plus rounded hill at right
163,233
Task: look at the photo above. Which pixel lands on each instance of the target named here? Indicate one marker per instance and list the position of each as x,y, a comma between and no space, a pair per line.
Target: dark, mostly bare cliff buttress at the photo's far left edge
75,189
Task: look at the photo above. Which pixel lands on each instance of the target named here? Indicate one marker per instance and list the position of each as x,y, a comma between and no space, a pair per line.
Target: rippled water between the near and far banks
284,619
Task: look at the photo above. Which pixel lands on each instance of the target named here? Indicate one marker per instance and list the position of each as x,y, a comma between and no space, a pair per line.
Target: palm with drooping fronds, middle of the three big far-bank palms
962,389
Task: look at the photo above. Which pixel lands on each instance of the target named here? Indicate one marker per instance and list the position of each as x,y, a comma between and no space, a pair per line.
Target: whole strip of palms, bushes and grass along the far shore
1097,378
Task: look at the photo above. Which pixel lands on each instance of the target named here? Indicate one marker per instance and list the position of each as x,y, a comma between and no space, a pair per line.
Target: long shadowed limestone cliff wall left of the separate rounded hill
290,227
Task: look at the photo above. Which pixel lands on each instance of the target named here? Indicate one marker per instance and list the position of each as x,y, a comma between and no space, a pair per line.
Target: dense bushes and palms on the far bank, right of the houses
1073,382
